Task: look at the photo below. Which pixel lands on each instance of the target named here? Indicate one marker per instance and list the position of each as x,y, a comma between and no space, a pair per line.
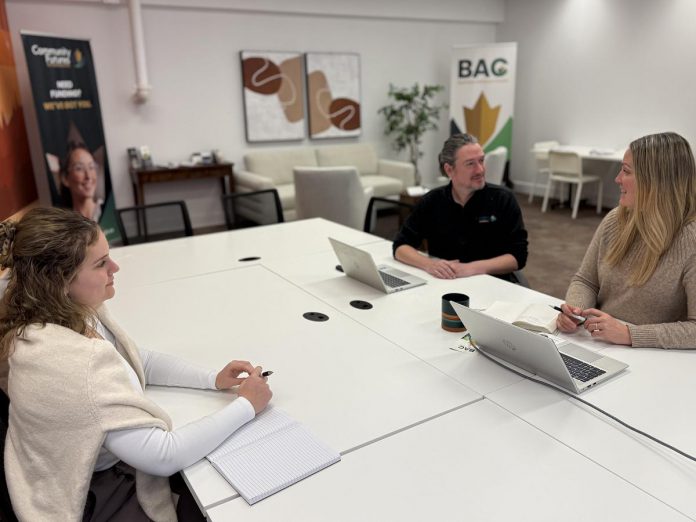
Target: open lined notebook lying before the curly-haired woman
270,453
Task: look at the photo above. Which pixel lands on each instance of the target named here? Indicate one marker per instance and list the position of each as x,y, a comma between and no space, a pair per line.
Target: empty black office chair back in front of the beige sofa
250,209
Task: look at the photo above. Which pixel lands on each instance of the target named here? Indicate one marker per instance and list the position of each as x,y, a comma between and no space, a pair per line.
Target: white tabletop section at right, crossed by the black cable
653,395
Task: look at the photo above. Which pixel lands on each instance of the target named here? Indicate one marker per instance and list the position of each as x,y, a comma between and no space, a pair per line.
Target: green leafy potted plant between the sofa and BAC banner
410,116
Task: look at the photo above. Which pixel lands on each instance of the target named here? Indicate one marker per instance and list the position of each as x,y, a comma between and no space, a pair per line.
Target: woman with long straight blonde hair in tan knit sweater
640,267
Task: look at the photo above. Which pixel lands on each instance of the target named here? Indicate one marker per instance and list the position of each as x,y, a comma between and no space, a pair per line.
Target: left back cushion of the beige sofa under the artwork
277,164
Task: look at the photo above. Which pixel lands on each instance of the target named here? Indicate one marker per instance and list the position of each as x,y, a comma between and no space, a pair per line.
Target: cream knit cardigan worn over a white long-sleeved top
67,391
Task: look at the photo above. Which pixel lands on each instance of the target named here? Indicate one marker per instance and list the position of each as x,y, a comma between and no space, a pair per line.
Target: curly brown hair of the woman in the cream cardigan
43,251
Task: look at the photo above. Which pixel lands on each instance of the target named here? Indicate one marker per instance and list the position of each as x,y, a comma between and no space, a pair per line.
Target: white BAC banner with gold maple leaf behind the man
482,92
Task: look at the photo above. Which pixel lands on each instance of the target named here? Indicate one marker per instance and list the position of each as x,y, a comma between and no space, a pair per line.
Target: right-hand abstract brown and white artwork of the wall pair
333,94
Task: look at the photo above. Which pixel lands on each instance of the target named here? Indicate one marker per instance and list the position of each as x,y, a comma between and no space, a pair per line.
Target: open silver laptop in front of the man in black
359,265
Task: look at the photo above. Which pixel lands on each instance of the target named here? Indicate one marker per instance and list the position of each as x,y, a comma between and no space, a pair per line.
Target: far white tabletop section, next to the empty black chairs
149,263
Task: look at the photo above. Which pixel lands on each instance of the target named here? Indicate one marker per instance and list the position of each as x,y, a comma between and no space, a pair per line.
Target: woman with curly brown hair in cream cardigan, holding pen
84,442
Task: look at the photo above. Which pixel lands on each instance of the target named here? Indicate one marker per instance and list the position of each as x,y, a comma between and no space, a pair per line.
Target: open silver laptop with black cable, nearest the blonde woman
563,363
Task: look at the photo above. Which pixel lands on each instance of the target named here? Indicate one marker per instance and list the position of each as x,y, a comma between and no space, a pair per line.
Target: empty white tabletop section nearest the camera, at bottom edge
477,463
